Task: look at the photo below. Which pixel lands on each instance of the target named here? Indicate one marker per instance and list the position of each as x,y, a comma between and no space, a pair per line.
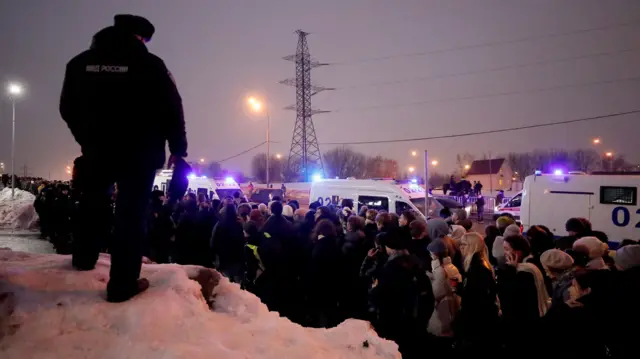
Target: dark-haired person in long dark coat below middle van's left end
324,274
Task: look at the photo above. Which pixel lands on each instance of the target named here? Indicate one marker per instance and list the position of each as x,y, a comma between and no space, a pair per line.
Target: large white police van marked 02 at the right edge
608,201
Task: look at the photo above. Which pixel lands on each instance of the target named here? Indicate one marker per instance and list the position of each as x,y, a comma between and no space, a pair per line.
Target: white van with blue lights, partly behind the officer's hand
215,188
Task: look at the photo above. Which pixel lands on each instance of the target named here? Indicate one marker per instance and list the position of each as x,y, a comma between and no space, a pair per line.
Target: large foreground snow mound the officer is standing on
48,310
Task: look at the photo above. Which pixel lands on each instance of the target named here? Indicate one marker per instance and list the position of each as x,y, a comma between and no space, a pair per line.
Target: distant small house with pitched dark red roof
493,174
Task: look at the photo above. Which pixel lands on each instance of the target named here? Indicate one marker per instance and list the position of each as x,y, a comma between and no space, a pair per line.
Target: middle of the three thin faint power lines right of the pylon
495,69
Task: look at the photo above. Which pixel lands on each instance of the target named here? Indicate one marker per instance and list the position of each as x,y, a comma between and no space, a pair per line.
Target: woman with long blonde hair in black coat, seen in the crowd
477,320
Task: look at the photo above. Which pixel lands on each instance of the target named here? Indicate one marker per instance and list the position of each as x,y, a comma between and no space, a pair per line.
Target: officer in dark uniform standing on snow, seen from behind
121,104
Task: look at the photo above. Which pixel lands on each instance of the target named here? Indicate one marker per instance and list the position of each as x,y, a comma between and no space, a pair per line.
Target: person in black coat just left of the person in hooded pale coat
403,298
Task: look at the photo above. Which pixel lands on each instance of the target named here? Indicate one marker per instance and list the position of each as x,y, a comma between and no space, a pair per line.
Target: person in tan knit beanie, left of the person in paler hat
558,266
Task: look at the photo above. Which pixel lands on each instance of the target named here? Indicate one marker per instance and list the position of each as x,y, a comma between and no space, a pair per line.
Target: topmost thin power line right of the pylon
489,44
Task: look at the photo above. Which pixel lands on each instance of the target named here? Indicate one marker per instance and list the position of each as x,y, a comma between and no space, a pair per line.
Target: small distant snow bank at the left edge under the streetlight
18,213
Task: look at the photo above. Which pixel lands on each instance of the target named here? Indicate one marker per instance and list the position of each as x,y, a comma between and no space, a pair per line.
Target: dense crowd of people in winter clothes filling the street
433,286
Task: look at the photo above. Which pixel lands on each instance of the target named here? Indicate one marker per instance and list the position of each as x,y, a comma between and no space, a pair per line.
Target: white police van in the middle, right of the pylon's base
379,194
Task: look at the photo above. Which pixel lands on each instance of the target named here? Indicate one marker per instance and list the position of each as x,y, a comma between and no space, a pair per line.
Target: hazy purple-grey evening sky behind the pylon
219,51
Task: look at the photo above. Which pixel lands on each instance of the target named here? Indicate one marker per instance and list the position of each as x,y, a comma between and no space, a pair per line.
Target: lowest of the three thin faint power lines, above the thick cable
496,94
